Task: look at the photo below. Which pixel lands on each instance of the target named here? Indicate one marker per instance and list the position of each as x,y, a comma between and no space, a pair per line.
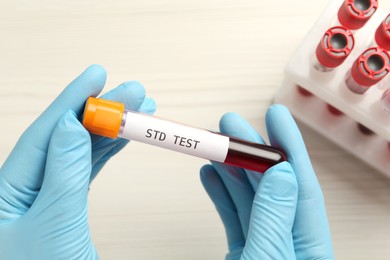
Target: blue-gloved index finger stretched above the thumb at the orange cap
22,173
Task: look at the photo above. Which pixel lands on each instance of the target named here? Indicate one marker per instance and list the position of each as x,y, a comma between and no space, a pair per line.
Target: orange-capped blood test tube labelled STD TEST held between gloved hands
111,119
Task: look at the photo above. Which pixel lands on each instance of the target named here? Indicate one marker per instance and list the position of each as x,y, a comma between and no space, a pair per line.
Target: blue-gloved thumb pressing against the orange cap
56,225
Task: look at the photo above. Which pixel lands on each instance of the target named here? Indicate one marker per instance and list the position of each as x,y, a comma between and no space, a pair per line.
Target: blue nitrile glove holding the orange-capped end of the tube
45,180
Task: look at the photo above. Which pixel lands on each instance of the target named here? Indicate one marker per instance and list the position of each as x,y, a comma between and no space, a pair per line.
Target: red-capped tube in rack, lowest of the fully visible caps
368,69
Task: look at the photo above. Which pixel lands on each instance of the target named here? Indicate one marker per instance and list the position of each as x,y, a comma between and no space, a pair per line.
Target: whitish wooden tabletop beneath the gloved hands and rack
198,59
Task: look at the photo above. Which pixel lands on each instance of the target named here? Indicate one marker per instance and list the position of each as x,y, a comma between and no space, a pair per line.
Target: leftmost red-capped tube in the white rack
334,47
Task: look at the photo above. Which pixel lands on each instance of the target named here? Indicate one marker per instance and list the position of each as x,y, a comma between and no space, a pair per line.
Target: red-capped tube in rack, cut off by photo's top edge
354,14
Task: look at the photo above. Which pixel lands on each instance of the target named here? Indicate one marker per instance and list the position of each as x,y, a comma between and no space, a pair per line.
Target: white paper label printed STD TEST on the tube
176,137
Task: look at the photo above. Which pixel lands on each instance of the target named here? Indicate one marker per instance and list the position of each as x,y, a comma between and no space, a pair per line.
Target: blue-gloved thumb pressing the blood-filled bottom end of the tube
273,208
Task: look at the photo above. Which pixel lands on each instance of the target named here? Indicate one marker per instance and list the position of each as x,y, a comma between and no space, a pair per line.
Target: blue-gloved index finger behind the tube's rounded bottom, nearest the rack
311,232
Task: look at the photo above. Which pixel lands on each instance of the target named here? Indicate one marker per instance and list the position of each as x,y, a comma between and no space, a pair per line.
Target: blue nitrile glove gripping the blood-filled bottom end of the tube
278,215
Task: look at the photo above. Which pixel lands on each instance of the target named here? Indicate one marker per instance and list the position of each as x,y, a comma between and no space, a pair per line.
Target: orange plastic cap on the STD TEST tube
103,117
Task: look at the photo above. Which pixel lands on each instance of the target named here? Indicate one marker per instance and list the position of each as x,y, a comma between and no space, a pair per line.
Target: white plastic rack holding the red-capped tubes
329,88
